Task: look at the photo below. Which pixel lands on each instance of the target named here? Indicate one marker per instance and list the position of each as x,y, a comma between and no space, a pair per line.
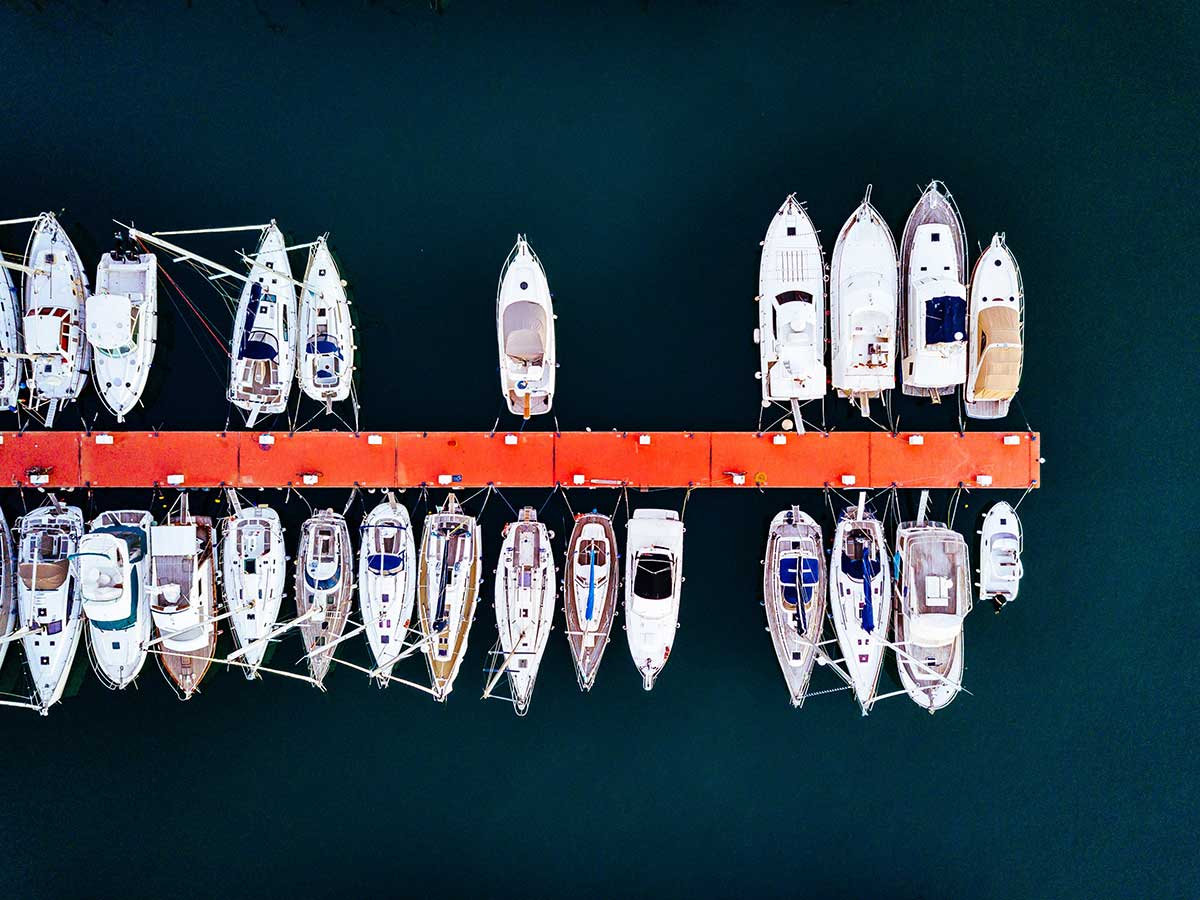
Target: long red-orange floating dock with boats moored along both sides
407,459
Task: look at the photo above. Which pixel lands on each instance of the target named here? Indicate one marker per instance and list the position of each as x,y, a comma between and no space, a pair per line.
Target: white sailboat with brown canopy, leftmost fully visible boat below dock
47,597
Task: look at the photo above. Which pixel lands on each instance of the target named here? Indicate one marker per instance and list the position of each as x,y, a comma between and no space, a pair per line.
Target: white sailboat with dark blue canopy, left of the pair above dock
263,352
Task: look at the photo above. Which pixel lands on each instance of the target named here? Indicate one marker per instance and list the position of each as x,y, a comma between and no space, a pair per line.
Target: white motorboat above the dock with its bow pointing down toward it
123,328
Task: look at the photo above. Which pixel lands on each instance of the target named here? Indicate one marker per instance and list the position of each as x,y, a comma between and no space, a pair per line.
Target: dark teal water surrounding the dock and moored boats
644,148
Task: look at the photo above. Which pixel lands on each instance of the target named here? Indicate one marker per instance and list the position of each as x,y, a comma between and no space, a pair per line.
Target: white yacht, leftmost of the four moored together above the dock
791,309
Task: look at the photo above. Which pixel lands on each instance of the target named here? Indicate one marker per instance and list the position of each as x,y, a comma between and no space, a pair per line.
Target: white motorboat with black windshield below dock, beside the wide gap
653,583
